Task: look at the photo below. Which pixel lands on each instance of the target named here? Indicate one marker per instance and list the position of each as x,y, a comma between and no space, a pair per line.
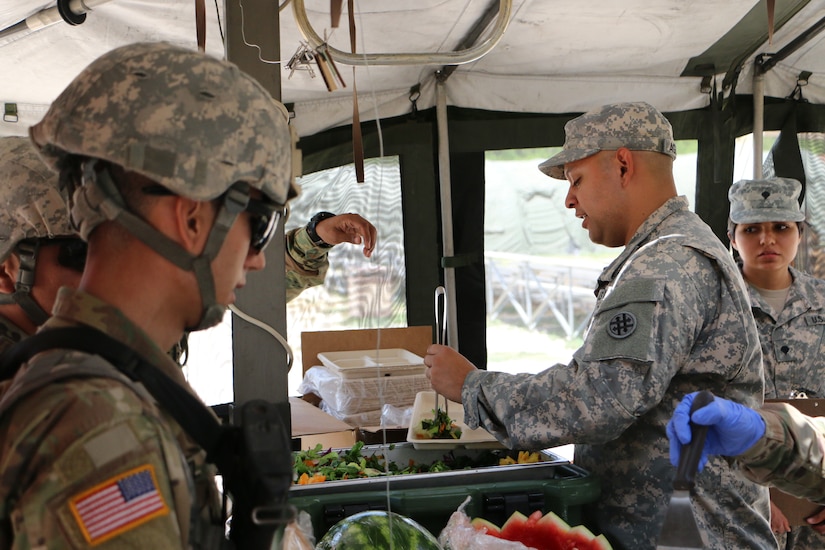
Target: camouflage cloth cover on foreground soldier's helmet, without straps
188,121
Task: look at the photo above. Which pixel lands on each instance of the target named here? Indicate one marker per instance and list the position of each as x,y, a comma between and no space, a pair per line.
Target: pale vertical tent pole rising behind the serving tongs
446,210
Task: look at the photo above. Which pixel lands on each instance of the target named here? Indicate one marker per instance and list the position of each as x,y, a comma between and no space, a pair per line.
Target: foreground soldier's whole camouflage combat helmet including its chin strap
196,125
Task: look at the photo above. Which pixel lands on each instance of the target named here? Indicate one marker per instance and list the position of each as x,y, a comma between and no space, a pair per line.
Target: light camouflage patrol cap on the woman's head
770,200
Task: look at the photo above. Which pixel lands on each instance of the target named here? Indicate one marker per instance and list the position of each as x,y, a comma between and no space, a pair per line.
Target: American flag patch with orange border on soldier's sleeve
118,504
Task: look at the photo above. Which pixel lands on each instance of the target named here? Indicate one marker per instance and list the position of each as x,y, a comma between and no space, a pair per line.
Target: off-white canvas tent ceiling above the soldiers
555,57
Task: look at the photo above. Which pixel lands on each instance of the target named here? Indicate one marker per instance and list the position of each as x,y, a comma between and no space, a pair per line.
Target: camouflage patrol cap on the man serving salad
637,126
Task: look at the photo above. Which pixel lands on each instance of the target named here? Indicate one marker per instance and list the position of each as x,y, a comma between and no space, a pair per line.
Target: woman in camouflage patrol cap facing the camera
765,227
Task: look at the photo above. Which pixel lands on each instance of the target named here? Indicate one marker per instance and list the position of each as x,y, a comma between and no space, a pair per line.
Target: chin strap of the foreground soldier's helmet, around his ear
100,194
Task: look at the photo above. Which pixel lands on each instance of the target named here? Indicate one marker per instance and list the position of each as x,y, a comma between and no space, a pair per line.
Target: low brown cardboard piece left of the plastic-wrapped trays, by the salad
311,425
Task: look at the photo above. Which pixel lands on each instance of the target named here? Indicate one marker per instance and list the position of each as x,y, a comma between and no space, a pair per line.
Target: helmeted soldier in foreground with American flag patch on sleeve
179,168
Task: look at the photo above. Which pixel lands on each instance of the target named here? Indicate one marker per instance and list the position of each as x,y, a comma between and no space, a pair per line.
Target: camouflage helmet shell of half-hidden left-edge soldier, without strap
30,204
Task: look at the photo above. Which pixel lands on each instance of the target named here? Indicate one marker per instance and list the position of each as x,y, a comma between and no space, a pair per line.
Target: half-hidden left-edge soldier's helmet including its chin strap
31,208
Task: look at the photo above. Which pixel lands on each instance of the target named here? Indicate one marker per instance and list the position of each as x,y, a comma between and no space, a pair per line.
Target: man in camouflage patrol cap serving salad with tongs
672,316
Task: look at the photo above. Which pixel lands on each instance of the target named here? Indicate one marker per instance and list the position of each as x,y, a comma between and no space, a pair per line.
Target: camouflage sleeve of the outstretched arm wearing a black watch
306,264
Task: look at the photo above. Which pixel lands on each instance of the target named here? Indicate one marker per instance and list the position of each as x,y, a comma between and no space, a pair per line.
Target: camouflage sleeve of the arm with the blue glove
791,454
